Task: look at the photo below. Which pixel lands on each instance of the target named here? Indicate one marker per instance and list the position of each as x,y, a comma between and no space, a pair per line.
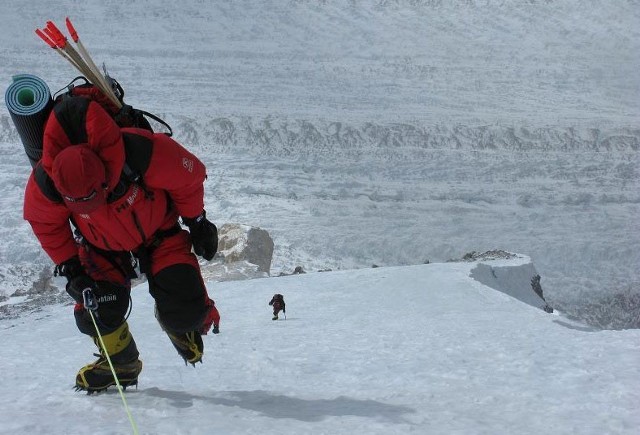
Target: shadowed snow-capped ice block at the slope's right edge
512,274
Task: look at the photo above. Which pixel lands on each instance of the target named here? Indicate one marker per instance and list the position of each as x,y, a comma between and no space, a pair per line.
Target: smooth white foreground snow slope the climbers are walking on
417,349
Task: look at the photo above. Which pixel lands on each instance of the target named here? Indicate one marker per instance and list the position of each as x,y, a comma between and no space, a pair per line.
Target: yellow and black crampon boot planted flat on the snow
122,350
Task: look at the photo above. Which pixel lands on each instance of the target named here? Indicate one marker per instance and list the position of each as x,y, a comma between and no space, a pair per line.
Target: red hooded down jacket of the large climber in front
174,178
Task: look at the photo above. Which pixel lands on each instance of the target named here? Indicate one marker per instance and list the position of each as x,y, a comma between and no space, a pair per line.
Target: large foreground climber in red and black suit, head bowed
124,191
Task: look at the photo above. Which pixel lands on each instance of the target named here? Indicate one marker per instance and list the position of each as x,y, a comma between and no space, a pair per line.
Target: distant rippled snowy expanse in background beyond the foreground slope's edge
383,132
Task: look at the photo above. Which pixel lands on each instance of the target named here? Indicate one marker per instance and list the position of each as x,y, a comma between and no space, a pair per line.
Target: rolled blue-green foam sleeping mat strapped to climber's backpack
29,102
